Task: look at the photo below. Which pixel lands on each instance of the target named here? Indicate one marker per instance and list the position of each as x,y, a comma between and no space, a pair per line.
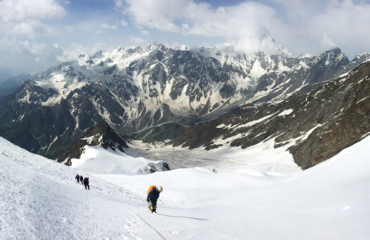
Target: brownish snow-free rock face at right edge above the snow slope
346,126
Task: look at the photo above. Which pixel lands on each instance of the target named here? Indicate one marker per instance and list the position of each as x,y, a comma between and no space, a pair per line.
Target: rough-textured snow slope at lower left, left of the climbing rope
40,200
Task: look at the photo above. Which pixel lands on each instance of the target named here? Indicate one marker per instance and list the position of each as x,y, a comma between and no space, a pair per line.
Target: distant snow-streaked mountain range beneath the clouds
136,88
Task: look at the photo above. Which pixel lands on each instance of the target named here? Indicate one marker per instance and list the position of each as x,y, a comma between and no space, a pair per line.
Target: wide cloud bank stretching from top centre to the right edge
297,24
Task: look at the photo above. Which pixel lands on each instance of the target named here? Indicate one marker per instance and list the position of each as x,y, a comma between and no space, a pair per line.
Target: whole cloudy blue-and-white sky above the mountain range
37,34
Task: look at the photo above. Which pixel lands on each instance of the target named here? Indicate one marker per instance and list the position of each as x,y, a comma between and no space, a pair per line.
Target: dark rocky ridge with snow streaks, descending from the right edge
317,125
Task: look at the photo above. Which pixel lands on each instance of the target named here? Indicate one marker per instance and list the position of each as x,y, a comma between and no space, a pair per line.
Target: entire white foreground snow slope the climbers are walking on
39,199
